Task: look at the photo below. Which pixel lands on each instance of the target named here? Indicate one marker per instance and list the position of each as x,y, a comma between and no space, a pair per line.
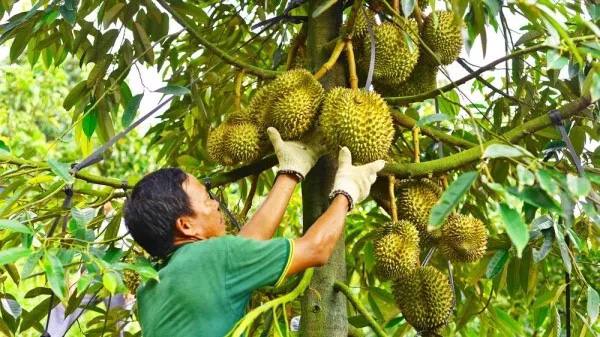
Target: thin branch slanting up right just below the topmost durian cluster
430,94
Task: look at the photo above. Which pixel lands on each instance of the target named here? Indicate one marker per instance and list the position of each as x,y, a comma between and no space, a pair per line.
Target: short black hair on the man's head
153,208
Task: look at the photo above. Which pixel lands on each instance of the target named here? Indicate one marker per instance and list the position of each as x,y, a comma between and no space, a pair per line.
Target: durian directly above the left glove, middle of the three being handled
294,108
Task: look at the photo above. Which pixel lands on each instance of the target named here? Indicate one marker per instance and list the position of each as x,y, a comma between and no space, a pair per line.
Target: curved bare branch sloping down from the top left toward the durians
182,20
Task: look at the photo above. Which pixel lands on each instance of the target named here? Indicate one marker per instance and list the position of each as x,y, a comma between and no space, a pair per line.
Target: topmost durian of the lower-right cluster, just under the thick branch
416,197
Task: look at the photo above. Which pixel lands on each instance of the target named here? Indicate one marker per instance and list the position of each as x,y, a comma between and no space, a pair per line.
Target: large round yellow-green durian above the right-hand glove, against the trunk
358,119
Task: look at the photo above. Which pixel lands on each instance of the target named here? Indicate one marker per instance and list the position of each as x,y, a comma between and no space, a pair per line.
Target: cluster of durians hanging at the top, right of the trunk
407,57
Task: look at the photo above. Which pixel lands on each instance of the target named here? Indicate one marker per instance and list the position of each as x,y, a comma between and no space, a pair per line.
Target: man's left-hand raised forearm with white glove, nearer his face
295,160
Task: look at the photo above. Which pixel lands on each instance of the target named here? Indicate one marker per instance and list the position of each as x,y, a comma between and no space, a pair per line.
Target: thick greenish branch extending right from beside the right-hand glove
460,159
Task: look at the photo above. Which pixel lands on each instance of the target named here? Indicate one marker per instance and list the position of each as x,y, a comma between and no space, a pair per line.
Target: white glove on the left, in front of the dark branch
295,157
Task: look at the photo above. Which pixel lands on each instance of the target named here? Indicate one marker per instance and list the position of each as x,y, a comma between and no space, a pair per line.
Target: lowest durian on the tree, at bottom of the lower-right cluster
424,298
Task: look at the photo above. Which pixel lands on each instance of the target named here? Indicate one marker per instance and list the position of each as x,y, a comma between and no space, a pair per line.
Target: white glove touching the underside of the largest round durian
354,182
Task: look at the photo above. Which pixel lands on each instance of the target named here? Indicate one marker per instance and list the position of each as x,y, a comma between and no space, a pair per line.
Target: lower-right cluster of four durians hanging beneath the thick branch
423,293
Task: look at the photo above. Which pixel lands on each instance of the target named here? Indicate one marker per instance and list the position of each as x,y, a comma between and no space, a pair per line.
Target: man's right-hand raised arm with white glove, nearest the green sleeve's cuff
351,185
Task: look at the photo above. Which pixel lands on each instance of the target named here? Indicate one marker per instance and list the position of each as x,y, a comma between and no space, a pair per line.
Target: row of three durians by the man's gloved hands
296,105
